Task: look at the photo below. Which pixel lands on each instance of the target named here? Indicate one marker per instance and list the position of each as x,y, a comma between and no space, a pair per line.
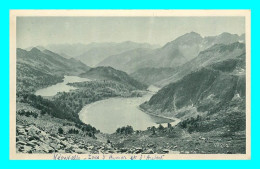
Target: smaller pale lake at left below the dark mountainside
61,87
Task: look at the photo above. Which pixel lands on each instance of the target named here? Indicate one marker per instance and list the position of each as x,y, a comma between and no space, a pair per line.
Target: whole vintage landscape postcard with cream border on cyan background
130,84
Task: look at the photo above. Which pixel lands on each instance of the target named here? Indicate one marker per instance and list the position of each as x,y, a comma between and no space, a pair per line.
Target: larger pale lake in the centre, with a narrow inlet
110,114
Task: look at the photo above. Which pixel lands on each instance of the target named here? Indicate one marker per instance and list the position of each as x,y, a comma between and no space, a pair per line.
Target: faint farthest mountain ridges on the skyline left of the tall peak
93,53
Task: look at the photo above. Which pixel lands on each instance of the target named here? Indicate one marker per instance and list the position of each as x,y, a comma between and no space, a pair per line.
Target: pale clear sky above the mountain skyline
34,31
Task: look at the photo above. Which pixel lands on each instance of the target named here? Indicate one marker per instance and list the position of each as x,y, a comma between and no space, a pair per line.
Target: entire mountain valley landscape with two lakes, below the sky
138,98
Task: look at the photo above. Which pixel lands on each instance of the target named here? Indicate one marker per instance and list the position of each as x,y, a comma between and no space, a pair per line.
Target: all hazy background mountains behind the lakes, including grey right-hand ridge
151,64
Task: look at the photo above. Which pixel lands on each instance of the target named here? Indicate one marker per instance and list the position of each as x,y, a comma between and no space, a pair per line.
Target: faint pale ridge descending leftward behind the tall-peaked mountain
97,54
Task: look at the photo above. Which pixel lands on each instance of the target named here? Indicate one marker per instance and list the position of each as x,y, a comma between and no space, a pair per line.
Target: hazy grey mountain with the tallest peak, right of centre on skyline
173,54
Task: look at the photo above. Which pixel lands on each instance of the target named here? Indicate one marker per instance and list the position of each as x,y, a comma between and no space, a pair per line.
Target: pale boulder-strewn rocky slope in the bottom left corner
30,139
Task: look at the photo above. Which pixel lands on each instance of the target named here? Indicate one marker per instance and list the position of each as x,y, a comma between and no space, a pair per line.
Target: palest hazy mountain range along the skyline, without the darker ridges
130,56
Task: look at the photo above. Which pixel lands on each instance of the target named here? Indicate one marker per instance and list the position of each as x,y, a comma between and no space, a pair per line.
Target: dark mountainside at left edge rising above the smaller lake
36,68
